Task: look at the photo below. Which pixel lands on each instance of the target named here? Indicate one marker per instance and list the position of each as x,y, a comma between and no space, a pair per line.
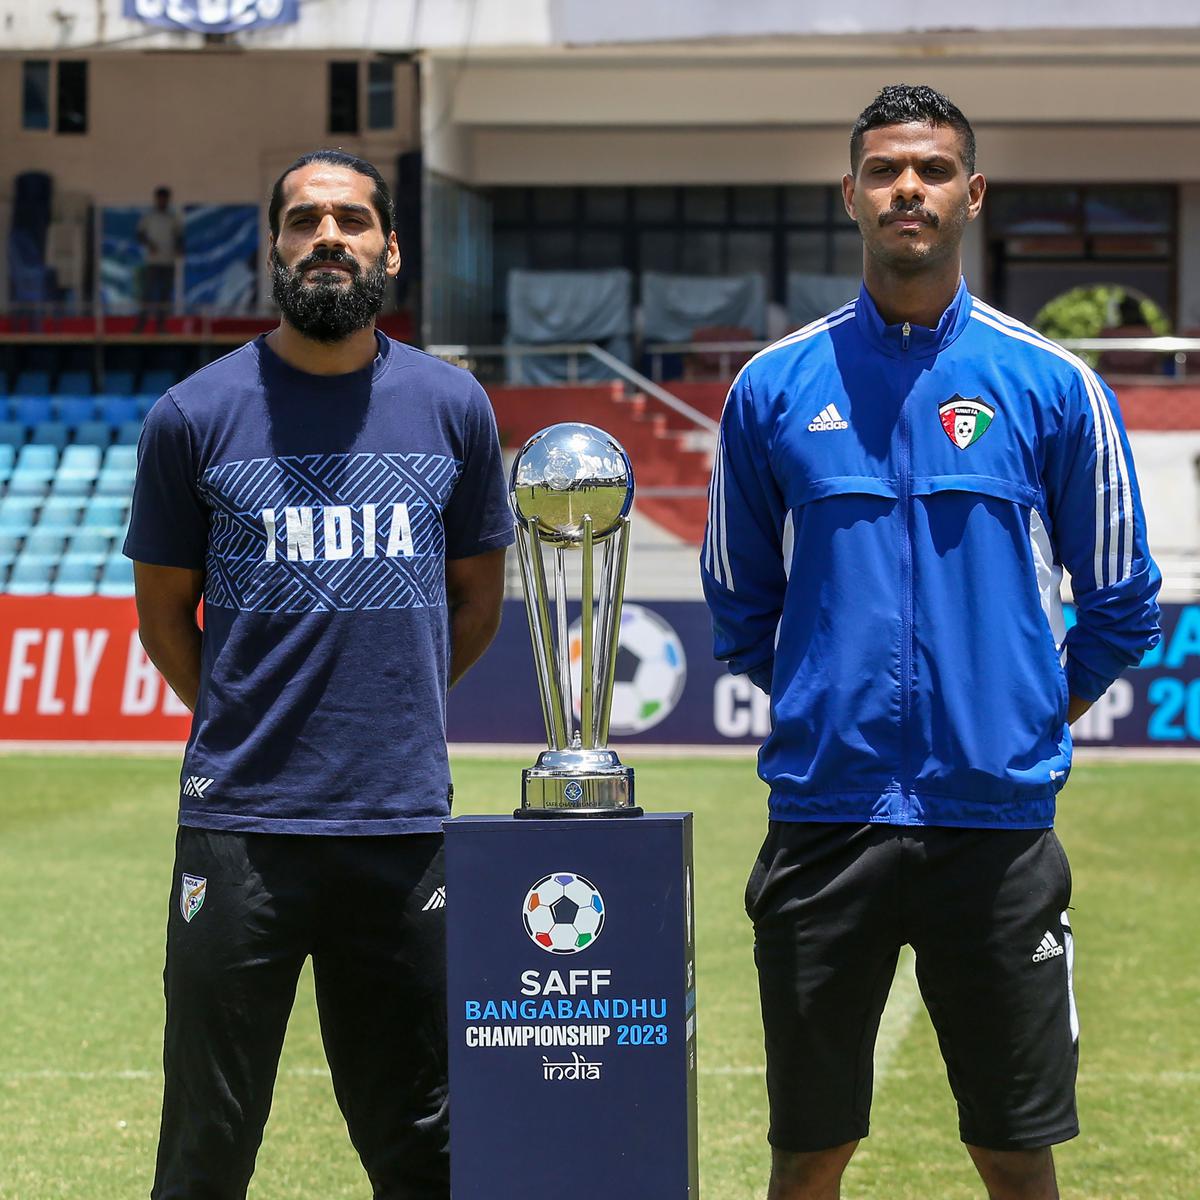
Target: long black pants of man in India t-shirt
247,910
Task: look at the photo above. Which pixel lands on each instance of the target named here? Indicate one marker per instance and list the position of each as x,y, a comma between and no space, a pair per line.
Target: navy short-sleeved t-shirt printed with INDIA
322,511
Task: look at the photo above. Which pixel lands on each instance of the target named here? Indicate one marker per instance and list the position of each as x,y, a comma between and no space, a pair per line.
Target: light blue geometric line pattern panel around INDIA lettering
239,577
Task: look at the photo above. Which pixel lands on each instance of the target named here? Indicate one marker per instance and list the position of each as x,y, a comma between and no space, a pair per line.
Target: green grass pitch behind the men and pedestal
86,859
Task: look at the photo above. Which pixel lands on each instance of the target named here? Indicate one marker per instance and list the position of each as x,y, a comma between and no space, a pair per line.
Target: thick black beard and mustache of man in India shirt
329,313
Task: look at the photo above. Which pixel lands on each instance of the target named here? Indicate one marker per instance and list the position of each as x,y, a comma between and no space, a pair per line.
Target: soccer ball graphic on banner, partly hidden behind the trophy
651,671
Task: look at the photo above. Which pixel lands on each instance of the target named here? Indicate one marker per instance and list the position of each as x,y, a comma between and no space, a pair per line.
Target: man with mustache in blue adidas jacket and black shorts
898,489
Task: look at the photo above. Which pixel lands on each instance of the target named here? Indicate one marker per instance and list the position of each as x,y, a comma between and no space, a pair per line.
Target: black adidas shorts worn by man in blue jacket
986,913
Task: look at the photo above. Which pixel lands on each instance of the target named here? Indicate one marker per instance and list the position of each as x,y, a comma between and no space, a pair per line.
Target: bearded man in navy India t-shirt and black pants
338,500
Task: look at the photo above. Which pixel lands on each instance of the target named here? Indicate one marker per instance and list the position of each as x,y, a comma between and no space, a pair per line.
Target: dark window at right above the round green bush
1046,239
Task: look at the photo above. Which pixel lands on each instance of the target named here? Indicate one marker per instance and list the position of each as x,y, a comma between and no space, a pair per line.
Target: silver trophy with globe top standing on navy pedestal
572,491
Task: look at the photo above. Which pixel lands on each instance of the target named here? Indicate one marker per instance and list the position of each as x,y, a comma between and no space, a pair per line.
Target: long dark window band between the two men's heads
772,230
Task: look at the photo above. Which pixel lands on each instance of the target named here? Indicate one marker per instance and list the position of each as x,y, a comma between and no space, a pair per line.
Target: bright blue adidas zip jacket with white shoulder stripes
890,517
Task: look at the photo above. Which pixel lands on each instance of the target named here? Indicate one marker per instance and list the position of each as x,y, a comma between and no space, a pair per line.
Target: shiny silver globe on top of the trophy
567,472
